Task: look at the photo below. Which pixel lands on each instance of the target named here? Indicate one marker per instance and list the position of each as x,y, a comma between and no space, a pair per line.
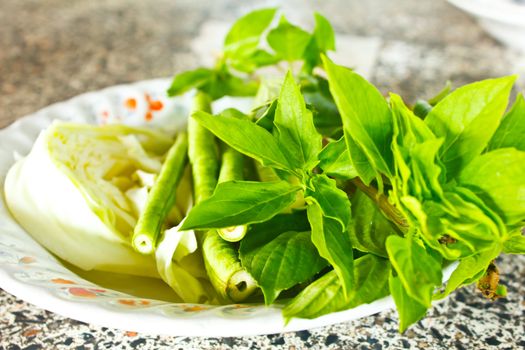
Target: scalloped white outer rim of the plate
204,325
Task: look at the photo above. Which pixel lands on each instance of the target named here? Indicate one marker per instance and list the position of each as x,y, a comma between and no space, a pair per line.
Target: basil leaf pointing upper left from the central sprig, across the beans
245,137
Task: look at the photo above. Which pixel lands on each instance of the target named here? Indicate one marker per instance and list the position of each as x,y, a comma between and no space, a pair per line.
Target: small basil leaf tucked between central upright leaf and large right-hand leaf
335,161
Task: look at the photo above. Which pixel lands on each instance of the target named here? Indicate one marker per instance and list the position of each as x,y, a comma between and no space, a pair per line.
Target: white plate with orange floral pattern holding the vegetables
31,273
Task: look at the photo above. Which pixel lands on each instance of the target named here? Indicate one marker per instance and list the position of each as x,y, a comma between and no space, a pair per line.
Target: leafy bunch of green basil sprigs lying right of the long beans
410,188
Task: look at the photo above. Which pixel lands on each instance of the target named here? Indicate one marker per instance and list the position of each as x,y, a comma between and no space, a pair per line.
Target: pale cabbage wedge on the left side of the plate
74,193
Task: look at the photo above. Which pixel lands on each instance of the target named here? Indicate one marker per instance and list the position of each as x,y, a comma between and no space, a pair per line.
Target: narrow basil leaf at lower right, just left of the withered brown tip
469,270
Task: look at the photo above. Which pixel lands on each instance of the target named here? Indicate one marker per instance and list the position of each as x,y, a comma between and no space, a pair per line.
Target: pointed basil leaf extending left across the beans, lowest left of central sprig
241,202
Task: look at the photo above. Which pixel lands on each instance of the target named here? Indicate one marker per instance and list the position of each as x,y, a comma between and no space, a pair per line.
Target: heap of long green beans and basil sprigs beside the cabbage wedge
328,195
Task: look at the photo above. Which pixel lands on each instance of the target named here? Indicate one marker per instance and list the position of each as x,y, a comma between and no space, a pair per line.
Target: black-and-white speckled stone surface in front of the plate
463,321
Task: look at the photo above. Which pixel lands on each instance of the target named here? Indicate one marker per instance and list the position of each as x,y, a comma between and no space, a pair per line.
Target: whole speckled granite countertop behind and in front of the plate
53,50
